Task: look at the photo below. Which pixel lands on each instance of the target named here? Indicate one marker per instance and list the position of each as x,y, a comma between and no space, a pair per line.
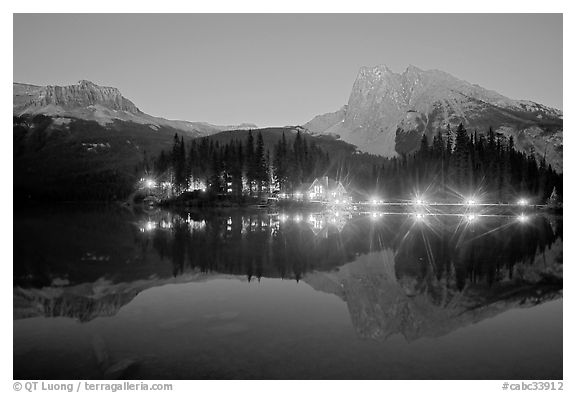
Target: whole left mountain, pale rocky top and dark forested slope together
85,141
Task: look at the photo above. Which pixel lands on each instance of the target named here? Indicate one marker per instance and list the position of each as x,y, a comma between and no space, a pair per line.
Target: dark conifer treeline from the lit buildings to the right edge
452,165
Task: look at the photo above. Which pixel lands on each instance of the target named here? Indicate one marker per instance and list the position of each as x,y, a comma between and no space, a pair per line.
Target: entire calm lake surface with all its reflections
105,292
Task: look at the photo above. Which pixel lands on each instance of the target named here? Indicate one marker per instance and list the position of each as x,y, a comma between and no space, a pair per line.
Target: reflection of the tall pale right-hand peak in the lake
383,303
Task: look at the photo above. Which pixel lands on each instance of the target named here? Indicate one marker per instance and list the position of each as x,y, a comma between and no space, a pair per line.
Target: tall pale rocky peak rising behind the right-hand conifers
387,113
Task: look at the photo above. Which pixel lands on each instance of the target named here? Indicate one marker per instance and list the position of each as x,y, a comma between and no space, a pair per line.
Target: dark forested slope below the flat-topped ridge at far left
83,161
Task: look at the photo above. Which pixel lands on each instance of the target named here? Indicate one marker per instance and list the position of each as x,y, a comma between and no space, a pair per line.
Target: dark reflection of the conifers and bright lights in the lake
468,247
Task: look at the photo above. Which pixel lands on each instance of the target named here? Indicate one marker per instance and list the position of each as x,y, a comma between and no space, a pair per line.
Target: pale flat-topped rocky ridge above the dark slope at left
105,105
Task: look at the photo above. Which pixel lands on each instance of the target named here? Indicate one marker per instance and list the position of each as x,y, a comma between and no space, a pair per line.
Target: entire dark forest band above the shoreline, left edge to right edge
91,162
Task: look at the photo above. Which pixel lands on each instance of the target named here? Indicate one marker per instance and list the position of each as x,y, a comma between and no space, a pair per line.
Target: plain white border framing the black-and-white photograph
259,6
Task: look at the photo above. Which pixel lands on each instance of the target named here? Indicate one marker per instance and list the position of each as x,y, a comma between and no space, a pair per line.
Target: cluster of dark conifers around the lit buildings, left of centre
241,167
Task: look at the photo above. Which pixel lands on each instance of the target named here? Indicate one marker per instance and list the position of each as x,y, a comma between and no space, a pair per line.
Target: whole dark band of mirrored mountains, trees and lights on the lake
407,274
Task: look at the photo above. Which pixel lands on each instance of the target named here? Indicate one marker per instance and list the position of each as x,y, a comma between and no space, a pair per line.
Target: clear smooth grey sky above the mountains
281,69
